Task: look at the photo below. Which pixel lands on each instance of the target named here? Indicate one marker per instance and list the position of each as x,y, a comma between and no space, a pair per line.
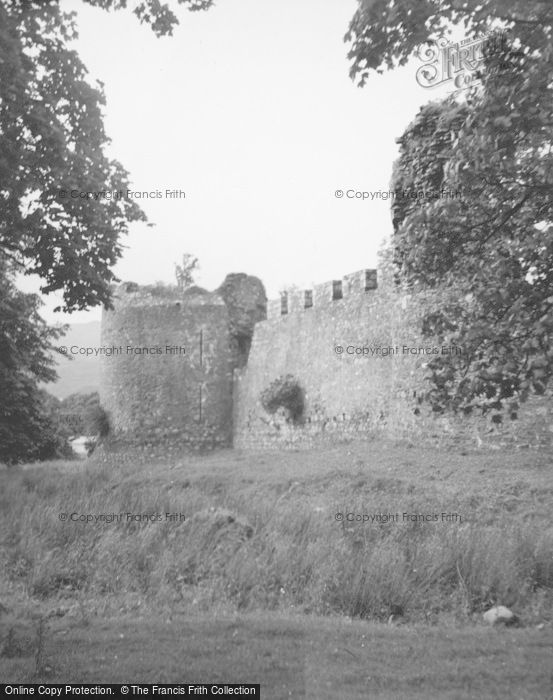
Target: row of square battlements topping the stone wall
292,301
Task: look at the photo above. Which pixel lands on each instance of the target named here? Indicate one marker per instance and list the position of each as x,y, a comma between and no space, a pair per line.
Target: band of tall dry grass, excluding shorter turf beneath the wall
266,551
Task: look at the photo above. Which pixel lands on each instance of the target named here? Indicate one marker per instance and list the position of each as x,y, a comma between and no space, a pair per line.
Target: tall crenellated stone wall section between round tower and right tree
345,394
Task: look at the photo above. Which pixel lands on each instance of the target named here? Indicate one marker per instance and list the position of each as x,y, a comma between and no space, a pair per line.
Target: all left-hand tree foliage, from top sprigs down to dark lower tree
63,202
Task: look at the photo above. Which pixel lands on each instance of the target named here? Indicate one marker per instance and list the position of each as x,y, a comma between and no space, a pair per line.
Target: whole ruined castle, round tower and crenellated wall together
211,396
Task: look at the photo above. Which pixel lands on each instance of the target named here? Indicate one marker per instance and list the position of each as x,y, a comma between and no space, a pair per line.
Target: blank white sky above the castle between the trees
250,110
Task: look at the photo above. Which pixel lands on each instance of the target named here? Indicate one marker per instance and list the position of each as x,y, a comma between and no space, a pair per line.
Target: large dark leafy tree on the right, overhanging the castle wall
488,254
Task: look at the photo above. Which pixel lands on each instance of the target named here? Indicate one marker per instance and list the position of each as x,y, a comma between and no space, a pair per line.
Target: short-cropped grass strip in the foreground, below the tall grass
293,657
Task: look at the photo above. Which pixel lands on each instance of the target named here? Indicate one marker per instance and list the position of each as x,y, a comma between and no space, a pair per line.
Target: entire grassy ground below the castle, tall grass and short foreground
260,582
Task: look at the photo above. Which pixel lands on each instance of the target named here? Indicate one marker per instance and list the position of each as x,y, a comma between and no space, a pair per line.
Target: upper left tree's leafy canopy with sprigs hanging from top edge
64,204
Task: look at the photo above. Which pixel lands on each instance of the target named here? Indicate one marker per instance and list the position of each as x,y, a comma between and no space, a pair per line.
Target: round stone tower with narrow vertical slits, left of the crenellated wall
171,397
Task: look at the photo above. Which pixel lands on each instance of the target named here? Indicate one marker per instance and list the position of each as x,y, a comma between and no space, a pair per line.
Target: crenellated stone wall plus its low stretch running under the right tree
356,395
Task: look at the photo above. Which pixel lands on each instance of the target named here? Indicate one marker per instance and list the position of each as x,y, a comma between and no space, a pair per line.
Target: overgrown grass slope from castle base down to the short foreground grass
256,539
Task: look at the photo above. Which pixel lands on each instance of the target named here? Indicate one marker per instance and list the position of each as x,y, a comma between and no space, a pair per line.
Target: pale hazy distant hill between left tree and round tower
81,374
